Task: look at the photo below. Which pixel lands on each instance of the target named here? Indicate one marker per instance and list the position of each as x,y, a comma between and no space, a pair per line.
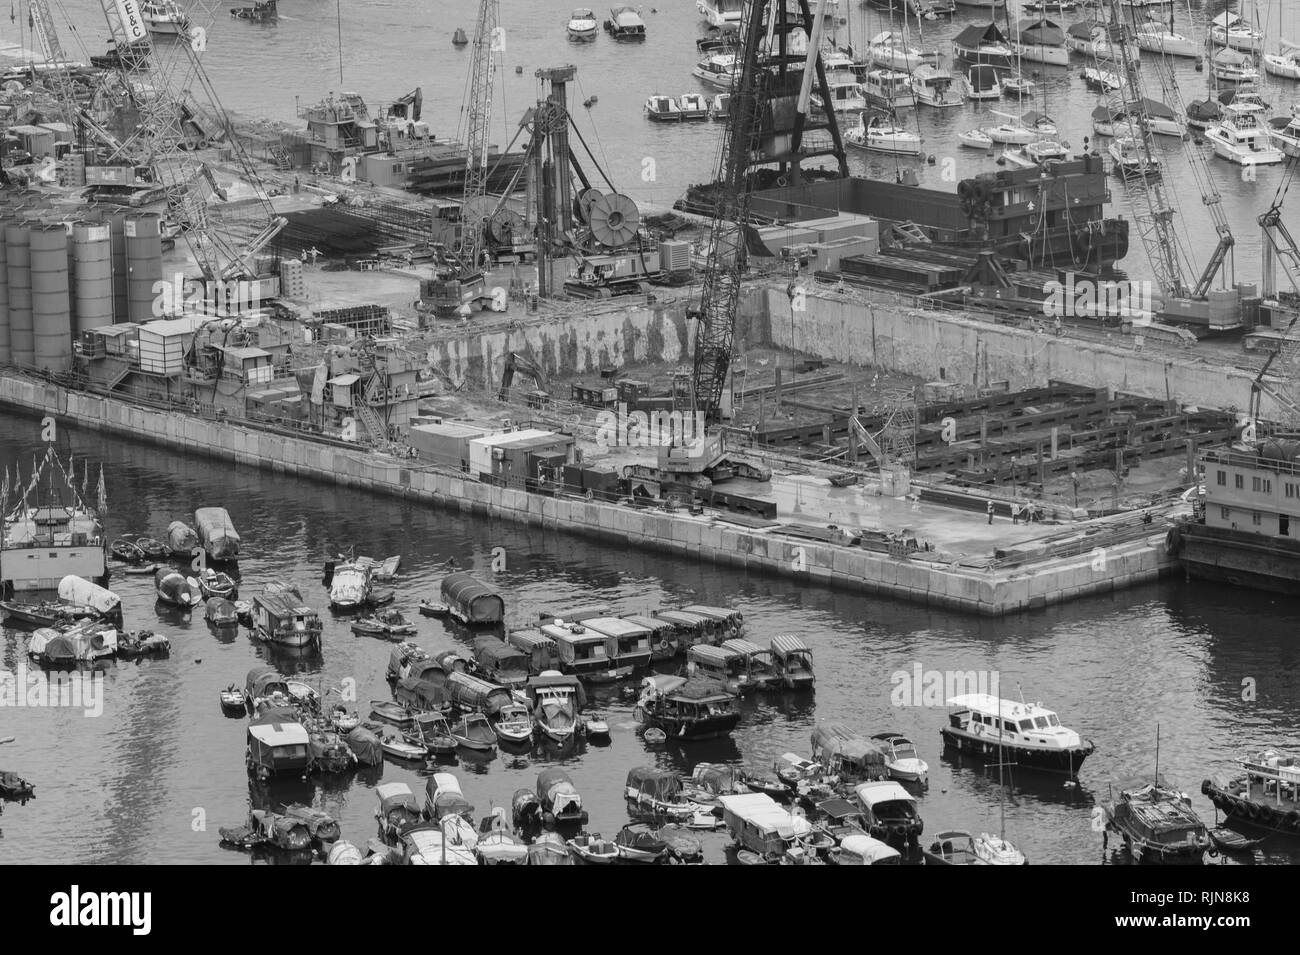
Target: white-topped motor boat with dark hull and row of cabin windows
1033,737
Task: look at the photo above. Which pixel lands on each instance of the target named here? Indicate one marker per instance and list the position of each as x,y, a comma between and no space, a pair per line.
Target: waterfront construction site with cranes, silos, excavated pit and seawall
865,390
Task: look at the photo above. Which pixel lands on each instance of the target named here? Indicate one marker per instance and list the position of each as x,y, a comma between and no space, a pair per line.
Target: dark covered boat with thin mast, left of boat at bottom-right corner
1156,823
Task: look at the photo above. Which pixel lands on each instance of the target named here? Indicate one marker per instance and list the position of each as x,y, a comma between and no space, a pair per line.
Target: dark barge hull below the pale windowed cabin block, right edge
1241,559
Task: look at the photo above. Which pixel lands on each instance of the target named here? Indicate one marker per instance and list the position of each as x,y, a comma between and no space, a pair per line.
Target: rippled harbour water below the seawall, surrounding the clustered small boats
155,776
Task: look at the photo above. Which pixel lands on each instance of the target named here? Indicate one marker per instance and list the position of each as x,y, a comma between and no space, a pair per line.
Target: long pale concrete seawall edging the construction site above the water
993,593
